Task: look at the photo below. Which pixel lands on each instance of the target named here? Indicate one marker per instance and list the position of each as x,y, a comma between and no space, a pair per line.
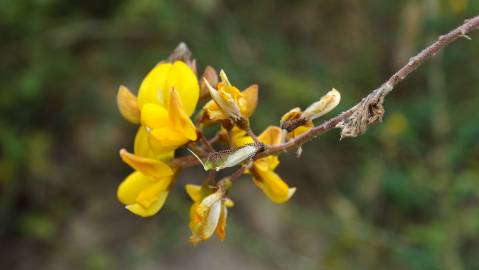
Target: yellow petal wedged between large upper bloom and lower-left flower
145,147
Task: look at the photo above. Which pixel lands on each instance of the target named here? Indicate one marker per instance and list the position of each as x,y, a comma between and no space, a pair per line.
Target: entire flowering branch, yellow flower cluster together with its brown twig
169,95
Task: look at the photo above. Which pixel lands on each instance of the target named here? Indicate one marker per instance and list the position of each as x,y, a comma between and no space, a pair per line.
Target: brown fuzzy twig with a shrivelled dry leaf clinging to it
369,110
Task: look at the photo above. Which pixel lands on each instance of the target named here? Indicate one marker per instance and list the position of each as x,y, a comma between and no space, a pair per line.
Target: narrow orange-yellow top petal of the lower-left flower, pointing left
147,166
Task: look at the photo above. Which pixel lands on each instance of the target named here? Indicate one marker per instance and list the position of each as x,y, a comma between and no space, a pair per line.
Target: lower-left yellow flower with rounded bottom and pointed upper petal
144,191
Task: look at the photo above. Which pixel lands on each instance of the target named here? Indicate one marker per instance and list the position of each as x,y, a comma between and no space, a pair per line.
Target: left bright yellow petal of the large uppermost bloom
153,87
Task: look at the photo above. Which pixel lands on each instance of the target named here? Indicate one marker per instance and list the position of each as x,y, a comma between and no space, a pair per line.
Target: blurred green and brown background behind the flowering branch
403,196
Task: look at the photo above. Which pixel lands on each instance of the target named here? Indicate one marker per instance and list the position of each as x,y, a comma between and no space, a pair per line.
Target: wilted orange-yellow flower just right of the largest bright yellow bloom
228,102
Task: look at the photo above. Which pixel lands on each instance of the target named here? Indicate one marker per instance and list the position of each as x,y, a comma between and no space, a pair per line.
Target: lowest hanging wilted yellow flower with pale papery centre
207,214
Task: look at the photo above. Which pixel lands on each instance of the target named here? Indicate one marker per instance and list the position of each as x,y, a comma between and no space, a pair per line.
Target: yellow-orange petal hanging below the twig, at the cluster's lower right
272,185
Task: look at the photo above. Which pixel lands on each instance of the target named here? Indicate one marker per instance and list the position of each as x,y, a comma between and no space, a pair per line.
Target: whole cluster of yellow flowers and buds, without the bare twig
166,99
